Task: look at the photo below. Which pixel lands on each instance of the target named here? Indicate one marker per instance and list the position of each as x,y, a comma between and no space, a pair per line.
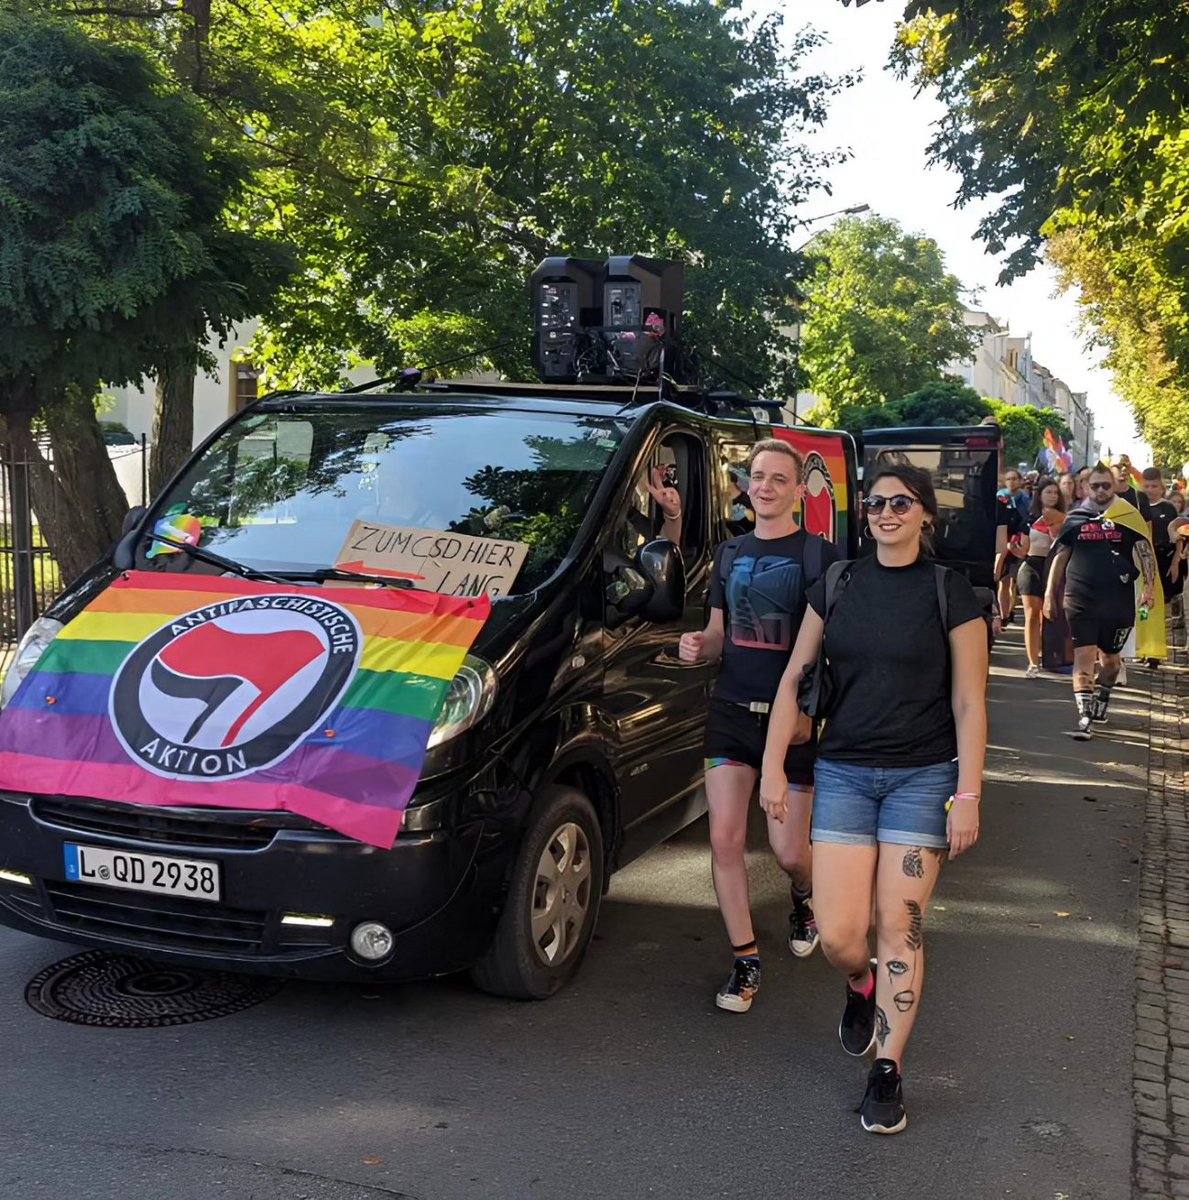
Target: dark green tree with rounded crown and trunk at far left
110,221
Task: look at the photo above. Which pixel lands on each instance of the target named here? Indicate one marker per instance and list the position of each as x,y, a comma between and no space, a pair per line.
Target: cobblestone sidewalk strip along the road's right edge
1162,1013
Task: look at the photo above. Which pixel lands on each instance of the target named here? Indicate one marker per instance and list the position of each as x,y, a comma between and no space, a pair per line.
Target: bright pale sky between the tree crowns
888,128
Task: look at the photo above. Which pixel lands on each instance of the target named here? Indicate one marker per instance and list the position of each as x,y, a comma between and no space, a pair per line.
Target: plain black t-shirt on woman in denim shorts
890,661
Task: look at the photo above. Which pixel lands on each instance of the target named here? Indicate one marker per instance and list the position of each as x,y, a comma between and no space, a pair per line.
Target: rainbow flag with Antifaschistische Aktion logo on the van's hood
215,692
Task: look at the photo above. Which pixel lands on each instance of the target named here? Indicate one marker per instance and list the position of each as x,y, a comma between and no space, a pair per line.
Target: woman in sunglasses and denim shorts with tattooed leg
899,770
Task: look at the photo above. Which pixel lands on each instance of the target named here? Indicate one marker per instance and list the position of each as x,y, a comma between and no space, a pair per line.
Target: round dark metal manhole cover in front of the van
121,992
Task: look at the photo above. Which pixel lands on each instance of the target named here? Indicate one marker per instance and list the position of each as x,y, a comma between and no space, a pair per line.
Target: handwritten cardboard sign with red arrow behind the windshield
457,565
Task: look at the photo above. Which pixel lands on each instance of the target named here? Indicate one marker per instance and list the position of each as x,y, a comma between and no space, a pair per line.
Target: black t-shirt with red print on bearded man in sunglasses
1101,573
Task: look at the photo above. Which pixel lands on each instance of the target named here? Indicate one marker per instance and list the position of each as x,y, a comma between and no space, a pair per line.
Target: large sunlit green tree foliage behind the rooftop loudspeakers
423,158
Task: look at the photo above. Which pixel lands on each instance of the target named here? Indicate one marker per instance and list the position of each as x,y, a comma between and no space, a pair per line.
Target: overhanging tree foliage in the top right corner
1073,117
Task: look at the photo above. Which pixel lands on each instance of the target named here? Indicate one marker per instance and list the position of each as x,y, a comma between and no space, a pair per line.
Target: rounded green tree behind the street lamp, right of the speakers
882,317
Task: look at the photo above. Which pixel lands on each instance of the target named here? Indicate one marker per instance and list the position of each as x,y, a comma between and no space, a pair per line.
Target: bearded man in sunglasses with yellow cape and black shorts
1098,560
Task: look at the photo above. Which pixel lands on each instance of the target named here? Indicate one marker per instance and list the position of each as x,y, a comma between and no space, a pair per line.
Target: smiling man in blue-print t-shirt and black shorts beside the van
758,601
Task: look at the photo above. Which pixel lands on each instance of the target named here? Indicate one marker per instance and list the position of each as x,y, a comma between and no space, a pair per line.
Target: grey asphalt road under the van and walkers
632,1084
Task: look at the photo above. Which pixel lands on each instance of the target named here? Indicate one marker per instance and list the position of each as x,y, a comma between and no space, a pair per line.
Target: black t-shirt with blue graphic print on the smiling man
762,608
